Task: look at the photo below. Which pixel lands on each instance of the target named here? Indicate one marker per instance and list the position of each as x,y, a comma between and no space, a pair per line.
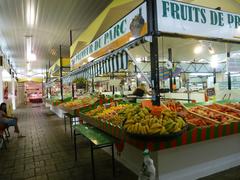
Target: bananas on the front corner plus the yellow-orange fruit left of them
139,120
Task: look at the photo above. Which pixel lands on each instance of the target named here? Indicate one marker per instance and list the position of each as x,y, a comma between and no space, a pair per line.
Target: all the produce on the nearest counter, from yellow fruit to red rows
169,118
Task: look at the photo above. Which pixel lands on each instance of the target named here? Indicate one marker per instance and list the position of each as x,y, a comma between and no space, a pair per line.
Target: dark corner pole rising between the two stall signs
152,29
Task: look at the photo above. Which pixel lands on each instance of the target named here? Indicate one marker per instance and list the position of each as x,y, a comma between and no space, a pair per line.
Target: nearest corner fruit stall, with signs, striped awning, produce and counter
187,141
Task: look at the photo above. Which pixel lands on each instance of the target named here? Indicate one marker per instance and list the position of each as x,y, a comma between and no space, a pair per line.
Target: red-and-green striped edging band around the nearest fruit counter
193,135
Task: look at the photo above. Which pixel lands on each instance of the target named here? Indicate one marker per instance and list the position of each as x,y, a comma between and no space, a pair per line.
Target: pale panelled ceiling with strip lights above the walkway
50,23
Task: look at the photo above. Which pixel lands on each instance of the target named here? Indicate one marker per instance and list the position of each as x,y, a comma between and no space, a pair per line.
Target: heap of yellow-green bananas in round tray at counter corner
140,121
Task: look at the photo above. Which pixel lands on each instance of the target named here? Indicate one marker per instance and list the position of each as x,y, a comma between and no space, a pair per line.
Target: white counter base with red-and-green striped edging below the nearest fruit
202,140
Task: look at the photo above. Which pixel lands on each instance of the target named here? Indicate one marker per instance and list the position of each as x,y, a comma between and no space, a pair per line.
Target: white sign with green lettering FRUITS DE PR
181,18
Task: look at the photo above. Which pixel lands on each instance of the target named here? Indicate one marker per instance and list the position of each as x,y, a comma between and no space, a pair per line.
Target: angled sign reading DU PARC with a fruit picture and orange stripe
132,26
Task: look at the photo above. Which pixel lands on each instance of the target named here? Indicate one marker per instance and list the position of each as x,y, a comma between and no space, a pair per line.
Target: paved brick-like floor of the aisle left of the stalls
47,152
